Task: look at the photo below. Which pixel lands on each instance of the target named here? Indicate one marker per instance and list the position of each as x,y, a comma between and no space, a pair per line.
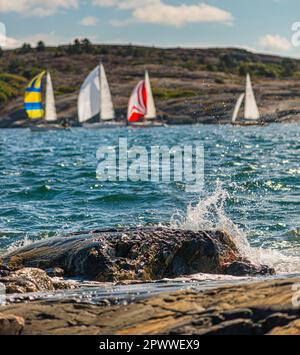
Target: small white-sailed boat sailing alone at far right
251,111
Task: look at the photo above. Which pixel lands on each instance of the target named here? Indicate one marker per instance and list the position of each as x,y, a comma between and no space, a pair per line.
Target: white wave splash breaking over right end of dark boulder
210,214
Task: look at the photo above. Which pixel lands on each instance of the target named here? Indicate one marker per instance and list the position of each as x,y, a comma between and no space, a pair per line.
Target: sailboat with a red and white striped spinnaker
141,105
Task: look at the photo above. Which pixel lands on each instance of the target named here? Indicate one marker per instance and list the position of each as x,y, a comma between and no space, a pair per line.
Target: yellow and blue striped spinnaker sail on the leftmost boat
33,97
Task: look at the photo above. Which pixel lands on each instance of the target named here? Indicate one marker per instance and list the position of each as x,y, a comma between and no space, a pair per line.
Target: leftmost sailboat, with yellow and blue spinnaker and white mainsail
33,102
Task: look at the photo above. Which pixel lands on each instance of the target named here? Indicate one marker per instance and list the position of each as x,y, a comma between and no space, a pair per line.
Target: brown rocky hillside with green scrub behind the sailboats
189,85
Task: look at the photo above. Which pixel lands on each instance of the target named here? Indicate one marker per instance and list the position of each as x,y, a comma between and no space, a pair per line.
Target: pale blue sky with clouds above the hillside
266,26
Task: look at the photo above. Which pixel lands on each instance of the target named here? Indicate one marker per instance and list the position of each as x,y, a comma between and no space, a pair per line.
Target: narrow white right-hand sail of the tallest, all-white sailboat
107,109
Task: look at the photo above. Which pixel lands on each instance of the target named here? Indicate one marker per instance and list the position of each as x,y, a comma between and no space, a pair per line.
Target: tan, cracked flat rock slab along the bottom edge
255,308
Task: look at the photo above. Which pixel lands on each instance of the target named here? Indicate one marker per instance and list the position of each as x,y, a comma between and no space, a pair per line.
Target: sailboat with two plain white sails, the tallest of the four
95,100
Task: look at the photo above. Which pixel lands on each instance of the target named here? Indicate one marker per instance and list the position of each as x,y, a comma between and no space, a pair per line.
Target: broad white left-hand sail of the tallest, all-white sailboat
89,96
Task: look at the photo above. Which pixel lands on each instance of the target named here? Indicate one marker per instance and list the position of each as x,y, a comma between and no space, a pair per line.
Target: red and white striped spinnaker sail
137,105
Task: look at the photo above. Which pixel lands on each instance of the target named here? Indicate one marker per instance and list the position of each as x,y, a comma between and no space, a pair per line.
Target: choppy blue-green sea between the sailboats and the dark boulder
49,186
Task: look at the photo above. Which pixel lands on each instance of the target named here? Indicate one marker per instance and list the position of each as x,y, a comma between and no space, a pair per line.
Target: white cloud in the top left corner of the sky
36,7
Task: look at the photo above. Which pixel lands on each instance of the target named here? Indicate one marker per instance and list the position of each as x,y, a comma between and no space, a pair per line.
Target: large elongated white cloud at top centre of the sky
158,12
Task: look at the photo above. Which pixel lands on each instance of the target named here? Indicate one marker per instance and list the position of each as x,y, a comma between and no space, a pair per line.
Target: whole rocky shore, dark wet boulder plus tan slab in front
141,255
